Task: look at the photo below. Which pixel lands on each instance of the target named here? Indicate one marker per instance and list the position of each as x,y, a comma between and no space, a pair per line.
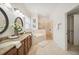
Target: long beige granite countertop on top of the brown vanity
11,43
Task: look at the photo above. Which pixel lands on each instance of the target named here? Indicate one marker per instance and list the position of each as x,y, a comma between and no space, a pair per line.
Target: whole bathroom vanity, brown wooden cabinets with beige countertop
22,48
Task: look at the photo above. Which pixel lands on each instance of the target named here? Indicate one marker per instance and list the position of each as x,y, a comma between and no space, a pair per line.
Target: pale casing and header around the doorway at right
72,12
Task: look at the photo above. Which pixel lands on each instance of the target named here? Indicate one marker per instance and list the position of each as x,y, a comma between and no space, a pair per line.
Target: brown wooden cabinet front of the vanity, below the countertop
23,49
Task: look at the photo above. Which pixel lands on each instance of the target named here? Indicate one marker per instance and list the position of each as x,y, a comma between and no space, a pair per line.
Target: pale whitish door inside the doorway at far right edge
76,29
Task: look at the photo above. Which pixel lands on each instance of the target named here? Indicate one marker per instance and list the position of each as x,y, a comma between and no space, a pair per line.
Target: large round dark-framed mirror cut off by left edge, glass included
3,21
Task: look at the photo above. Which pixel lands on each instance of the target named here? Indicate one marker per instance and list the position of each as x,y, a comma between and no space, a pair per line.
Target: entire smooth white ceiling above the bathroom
44,8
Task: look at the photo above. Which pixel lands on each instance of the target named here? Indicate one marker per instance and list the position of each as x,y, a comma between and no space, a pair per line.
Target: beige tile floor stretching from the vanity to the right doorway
49,47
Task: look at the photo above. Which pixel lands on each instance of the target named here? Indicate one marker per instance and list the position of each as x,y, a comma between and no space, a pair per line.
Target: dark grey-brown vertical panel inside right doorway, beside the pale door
70,31
